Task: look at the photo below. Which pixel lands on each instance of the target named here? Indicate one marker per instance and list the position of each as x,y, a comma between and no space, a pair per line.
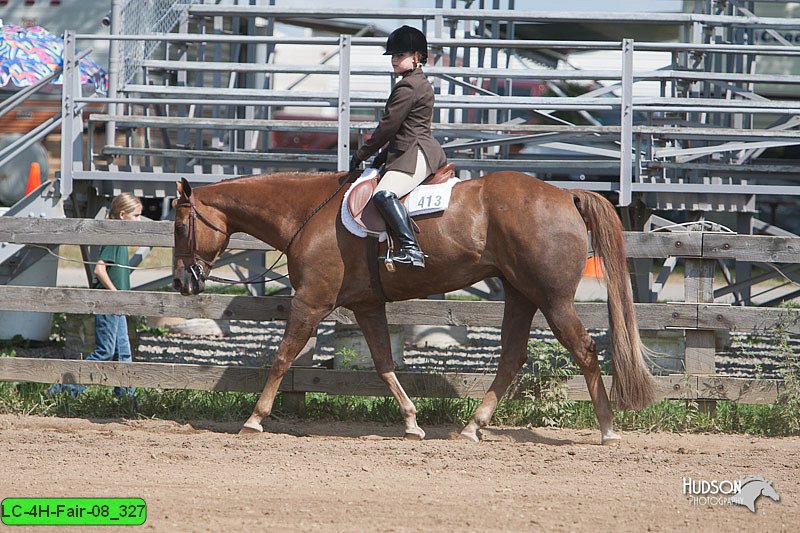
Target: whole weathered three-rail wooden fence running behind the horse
698,316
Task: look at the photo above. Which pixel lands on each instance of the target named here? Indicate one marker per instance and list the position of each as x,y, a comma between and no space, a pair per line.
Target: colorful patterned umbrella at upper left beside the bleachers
29,54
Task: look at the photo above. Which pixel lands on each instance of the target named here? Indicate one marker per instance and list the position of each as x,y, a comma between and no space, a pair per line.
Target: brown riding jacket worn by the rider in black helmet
406,125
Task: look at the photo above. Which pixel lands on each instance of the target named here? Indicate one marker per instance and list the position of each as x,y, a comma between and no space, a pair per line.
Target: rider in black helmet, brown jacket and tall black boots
412,153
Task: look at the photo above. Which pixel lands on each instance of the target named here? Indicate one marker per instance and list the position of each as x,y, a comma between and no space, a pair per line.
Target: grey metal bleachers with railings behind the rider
697,136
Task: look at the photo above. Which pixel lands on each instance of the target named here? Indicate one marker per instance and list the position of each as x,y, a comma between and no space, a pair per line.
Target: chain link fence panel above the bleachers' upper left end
140,17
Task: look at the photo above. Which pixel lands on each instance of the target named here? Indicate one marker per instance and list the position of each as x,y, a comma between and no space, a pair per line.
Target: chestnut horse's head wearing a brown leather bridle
200,237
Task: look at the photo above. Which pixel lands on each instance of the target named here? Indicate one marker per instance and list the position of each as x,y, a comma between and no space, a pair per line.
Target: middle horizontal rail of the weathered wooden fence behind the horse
422,312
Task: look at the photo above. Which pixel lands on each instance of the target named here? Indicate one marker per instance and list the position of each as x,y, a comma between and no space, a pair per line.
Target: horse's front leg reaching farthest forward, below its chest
302,323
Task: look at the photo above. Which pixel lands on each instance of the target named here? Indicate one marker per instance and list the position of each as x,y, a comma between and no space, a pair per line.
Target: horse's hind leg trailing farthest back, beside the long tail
568,329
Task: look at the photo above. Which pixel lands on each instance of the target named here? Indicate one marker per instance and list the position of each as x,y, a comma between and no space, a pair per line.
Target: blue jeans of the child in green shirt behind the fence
111,342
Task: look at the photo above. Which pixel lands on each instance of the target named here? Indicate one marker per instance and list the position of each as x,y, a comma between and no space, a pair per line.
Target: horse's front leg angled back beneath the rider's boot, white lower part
372,321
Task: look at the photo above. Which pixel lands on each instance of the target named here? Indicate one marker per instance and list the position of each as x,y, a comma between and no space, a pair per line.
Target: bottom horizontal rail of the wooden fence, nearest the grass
350,382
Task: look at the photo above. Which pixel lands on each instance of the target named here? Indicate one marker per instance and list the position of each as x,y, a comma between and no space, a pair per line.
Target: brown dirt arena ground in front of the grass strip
334,476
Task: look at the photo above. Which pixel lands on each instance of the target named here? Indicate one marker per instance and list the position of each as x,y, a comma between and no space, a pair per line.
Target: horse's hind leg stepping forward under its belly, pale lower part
517,316
